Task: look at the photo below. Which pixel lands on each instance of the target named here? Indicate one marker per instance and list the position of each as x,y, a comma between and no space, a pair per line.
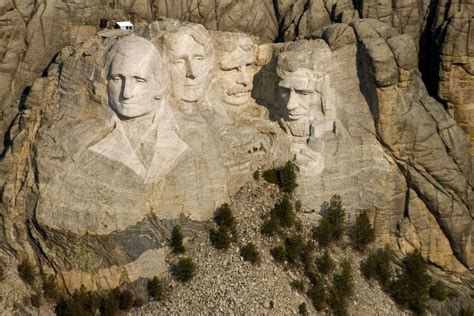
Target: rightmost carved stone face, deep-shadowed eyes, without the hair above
297,92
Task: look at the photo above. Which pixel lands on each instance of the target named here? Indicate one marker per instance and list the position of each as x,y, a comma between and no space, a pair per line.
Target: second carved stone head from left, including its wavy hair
189,55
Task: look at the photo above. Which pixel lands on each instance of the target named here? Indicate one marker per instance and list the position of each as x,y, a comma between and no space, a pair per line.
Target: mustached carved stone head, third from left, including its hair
236,70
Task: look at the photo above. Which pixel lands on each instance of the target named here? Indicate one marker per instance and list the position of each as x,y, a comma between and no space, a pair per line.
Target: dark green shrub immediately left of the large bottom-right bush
377,266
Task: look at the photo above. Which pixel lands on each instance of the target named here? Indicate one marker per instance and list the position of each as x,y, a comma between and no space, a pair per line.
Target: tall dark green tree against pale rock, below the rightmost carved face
332,224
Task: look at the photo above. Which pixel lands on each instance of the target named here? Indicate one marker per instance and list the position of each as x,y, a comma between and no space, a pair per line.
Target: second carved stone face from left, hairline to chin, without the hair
189,67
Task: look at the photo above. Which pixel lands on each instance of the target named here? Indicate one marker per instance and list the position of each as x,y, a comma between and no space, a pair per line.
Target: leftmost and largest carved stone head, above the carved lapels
134,87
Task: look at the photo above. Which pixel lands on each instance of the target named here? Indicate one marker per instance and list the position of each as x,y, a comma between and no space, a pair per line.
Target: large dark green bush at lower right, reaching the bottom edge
411,288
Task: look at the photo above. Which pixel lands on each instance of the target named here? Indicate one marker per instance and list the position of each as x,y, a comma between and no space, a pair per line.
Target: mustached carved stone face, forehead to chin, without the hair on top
235,77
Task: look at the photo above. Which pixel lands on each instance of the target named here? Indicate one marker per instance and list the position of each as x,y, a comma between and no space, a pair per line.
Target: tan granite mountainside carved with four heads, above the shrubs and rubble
127,135
